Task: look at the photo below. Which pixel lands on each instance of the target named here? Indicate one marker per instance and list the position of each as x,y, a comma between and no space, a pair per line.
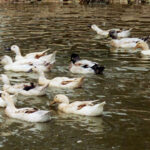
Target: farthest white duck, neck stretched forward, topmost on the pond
117,33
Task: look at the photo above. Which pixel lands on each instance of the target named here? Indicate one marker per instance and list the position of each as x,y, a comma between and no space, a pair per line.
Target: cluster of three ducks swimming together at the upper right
120,39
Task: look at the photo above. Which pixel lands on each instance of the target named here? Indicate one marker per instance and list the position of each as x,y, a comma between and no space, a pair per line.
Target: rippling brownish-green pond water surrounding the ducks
124,85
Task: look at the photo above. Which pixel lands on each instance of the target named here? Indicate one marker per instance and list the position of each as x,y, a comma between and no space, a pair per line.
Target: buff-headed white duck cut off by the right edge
145,48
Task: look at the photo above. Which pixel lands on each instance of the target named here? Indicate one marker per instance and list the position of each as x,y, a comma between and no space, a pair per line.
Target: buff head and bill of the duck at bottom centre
60,98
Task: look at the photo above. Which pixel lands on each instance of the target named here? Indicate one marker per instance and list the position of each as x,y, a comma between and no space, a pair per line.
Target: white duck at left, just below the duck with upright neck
9,65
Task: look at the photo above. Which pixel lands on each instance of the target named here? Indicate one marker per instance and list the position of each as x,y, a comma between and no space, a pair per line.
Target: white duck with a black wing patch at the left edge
27,89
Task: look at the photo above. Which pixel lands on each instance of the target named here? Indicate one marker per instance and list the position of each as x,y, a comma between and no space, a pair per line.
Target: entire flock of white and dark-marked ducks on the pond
42,62
